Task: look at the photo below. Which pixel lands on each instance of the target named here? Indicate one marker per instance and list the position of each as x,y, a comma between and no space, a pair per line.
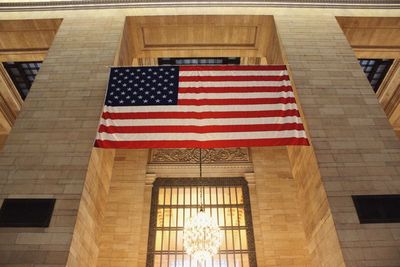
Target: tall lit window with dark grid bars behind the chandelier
174,201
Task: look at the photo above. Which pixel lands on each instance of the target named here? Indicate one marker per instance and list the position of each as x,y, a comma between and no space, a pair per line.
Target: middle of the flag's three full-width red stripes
201,129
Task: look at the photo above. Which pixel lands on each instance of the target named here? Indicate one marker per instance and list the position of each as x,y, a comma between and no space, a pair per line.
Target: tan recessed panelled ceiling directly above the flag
180,36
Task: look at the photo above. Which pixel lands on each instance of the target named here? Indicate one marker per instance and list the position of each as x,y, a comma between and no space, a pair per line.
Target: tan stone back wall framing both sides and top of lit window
278,230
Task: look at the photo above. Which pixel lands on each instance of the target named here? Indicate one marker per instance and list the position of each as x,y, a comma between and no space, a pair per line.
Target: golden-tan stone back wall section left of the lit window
127,212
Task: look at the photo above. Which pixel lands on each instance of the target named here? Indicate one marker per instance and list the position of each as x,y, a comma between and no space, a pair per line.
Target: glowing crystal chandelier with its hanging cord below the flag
201,234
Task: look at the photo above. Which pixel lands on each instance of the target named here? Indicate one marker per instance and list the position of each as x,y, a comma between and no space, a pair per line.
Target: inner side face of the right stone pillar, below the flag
322,240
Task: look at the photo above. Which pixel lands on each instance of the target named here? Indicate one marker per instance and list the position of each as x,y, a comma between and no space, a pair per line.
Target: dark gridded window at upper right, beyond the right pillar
375,70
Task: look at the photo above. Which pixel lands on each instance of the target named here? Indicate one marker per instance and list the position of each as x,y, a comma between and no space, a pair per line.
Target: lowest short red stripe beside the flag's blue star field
202,102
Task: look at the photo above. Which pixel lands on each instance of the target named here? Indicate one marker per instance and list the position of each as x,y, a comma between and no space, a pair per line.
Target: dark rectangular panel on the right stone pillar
378,208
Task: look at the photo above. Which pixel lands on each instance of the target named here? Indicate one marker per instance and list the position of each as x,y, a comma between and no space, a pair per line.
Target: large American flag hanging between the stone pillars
199,107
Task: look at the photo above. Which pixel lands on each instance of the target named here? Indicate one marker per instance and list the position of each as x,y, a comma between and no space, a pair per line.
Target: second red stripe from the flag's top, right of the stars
232,78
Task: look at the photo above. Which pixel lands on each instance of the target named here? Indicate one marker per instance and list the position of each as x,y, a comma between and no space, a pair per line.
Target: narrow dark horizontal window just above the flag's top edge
199,61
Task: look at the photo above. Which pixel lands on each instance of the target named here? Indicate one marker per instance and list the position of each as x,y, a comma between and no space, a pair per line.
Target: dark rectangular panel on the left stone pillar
26,212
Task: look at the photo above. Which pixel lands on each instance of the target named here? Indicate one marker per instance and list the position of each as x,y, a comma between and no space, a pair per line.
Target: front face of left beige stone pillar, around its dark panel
48,151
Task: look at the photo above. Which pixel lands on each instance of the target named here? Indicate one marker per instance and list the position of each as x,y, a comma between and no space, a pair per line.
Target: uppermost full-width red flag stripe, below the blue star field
199,115
